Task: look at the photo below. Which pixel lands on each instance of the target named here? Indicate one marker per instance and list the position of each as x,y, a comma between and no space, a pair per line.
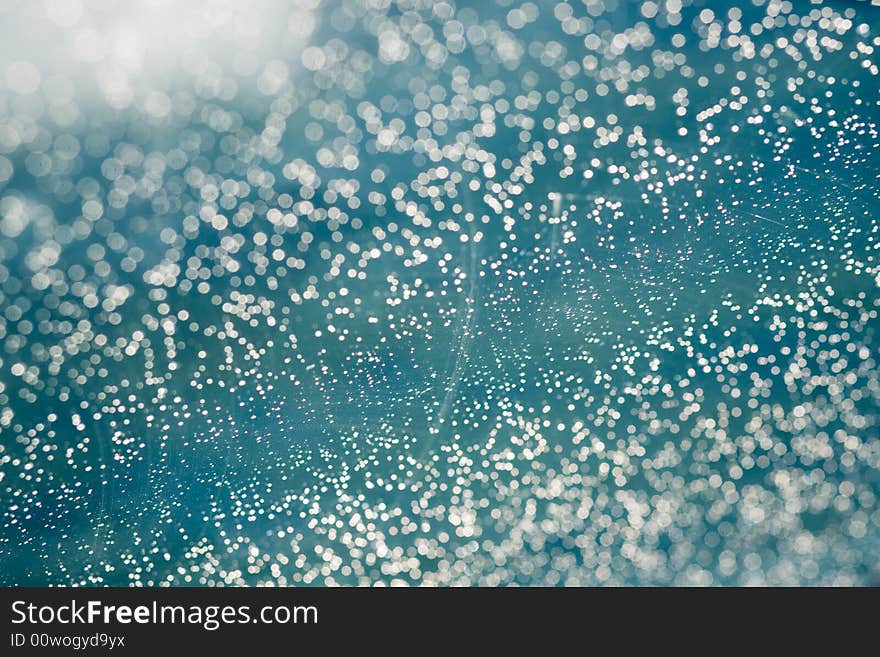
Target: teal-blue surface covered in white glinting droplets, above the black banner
417,293
